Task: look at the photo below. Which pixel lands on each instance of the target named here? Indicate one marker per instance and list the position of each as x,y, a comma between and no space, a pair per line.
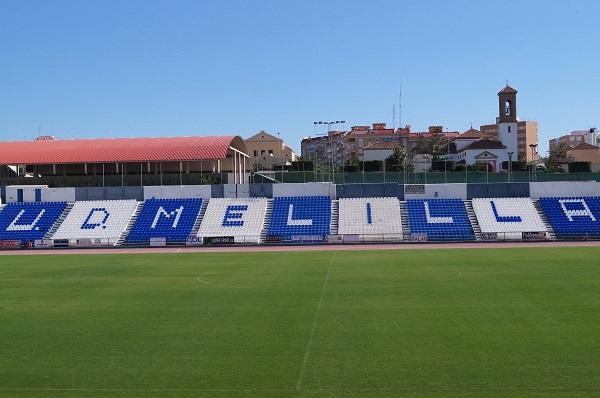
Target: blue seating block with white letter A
573,216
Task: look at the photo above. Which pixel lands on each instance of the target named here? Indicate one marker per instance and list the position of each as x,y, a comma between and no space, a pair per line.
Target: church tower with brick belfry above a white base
507,119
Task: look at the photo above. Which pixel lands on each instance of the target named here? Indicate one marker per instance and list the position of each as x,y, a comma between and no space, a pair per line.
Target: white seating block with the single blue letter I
372,218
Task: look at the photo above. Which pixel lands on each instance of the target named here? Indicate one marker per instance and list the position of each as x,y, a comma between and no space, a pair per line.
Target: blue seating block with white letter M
172,219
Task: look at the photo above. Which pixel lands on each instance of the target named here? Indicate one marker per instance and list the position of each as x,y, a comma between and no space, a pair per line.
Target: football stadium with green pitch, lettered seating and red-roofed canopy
139,280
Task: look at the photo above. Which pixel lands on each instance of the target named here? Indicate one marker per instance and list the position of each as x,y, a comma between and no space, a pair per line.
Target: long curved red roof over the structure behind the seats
118,150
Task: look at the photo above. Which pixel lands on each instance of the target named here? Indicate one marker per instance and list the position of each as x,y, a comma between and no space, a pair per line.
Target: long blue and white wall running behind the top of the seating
461,191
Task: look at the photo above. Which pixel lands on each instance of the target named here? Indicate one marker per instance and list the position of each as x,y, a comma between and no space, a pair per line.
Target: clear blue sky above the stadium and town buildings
85,68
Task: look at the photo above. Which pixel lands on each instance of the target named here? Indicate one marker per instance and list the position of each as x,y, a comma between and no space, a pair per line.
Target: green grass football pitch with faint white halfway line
409,323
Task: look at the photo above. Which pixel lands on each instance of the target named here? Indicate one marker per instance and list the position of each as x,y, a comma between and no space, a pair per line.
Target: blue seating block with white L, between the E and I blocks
301,218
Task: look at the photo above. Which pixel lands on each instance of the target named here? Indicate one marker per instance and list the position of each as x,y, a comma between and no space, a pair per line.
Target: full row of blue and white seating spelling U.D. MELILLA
299,219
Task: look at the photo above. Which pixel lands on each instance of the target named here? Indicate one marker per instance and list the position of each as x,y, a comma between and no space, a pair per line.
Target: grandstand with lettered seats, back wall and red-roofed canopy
124,201
